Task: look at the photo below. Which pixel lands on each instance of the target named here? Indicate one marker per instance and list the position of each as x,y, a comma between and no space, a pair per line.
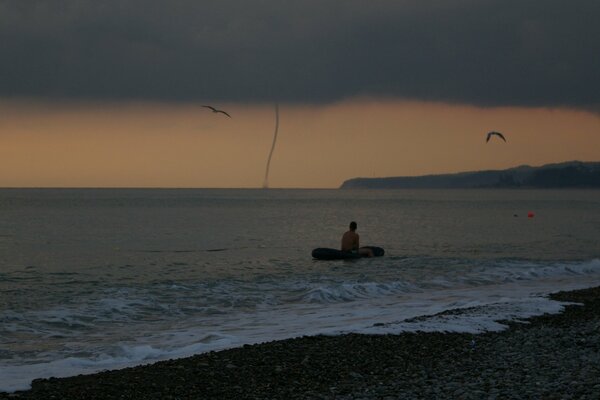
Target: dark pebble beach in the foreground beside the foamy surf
552,356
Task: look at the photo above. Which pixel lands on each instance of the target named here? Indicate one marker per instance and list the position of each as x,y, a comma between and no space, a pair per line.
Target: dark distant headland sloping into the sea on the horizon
572,174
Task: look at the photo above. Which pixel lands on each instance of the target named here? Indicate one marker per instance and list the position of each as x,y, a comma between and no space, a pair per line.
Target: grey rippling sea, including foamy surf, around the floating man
101,279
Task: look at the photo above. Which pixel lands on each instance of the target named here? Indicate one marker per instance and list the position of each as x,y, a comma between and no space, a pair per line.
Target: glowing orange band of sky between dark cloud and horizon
185,145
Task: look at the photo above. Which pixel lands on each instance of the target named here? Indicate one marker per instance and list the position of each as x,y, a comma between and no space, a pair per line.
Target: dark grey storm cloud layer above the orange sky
542,52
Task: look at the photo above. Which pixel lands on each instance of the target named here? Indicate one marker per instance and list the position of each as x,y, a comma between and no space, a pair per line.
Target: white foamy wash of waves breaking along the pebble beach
480,309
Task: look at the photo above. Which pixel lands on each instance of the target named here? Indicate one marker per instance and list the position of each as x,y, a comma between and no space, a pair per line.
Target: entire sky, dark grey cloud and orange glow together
110,93
